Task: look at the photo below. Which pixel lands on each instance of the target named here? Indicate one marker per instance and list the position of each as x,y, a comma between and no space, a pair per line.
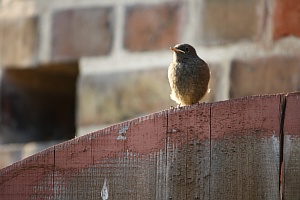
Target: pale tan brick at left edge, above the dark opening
18,40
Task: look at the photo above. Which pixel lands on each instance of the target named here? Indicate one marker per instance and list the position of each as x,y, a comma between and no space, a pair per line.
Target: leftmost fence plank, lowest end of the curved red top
31,178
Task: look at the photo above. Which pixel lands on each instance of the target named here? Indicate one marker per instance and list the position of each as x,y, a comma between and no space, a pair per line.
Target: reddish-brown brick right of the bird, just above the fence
273,74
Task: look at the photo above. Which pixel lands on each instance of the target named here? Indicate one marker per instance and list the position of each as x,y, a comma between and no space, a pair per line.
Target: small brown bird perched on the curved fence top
188,75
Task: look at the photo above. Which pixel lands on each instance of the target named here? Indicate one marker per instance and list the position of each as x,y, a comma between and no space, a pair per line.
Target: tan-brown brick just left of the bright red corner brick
228,21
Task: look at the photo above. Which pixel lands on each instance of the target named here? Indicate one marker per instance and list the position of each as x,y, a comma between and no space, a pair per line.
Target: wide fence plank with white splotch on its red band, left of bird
127,156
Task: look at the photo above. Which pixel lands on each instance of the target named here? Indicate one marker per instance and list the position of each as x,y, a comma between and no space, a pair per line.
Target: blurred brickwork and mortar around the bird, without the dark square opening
252,47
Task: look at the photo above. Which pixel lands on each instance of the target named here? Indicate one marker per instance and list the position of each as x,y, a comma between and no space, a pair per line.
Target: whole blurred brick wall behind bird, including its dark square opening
72,67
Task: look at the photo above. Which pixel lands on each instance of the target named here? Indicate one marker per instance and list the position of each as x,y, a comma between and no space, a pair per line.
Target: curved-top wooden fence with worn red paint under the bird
247,148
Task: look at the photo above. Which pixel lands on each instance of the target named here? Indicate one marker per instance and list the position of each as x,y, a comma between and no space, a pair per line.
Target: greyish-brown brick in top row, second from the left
82,32
